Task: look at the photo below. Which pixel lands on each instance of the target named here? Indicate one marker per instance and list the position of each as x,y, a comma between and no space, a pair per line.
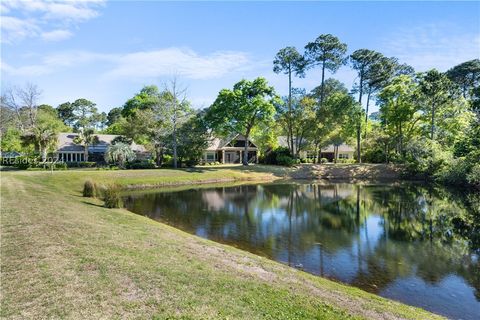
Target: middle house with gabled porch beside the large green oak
230,150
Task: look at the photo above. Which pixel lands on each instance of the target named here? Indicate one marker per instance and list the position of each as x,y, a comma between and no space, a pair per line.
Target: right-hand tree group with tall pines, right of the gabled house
427,121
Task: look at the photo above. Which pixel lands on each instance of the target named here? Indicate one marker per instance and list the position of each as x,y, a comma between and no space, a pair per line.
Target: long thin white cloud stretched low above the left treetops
141,65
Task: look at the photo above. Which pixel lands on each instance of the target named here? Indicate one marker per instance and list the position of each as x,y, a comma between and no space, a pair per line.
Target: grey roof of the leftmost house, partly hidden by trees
66,143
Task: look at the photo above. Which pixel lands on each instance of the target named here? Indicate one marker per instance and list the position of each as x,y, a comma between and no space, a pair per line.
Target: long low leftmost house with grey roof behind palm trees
69,151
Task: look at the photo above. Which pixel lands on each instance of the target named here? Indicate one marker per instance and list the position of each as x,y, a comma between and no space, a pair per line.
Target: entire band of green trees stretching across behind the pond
429,122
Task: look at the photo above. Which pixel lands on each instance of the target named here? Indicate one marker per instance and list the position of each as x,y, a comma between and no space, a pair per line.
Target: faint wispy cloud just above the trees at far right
433,46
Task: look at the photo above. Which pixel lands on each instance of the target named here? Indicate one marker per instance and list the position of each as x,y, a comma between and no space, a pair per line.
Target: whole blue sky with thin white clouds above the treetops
107,51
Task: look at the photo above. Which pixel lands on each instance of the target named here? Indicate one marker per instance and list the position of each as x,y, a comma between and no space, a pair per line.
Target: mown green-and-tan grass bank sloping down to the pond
64,256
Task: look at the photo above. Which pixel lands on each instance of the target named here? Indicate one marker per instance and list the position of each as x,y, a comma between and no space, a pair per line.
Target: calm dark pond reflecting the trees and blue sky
410,243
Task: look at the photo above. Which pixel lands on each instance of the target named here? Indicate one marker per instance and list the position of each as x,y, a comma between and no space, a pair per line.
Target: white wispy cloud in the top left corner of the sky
49,20
